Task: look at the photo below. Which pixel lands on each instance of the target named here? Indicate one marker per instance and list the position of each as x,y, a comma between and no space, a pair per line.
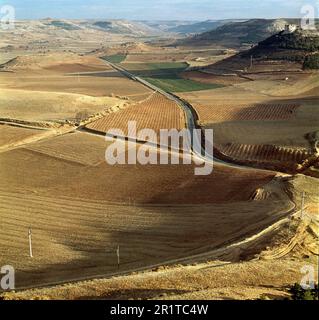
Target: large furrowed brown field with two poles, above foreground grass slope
75,238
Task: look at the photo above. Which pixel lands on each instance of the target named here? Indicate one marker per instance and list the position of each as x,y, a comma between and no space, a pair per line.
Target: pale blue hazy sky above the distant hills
158,9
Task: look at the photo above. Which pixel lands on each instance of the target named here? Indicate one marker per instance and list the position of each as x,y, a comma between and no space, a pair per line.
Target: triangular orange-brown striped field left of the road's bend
155,113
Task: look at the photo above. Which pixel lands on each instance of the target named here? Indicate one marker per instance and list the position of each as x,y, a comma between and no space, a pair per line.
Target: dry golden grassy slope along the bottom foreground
221,274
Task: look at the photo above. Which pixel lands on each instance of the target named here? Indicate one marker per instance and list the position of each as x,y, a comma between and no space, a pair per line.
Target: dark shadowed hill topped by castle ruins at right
297,50
